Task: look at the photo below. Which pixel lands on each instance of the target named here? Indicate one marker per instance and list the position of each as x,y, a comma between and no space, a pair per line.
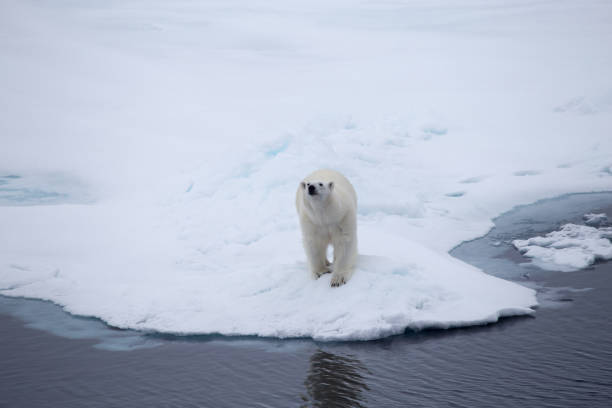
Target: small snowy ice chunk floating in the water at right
571,248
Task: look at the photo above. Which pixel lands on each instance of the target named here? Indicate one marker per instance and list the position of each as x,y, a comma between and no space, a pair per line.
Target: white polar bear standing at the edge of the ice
327,206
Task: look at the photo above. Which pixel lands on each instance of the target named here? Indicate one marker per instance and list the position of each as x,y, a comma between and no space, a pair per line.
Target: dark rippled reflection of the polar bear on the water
335,381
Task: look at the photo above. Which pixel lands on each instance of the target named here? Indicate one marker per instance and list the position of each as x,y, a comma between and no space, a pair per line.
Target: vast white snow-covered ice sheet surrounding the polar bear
165,141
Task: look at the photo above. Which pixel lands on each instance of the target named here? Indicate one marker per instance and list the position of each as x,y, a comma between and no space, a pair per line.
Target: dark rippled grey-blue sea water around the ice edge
561,357
